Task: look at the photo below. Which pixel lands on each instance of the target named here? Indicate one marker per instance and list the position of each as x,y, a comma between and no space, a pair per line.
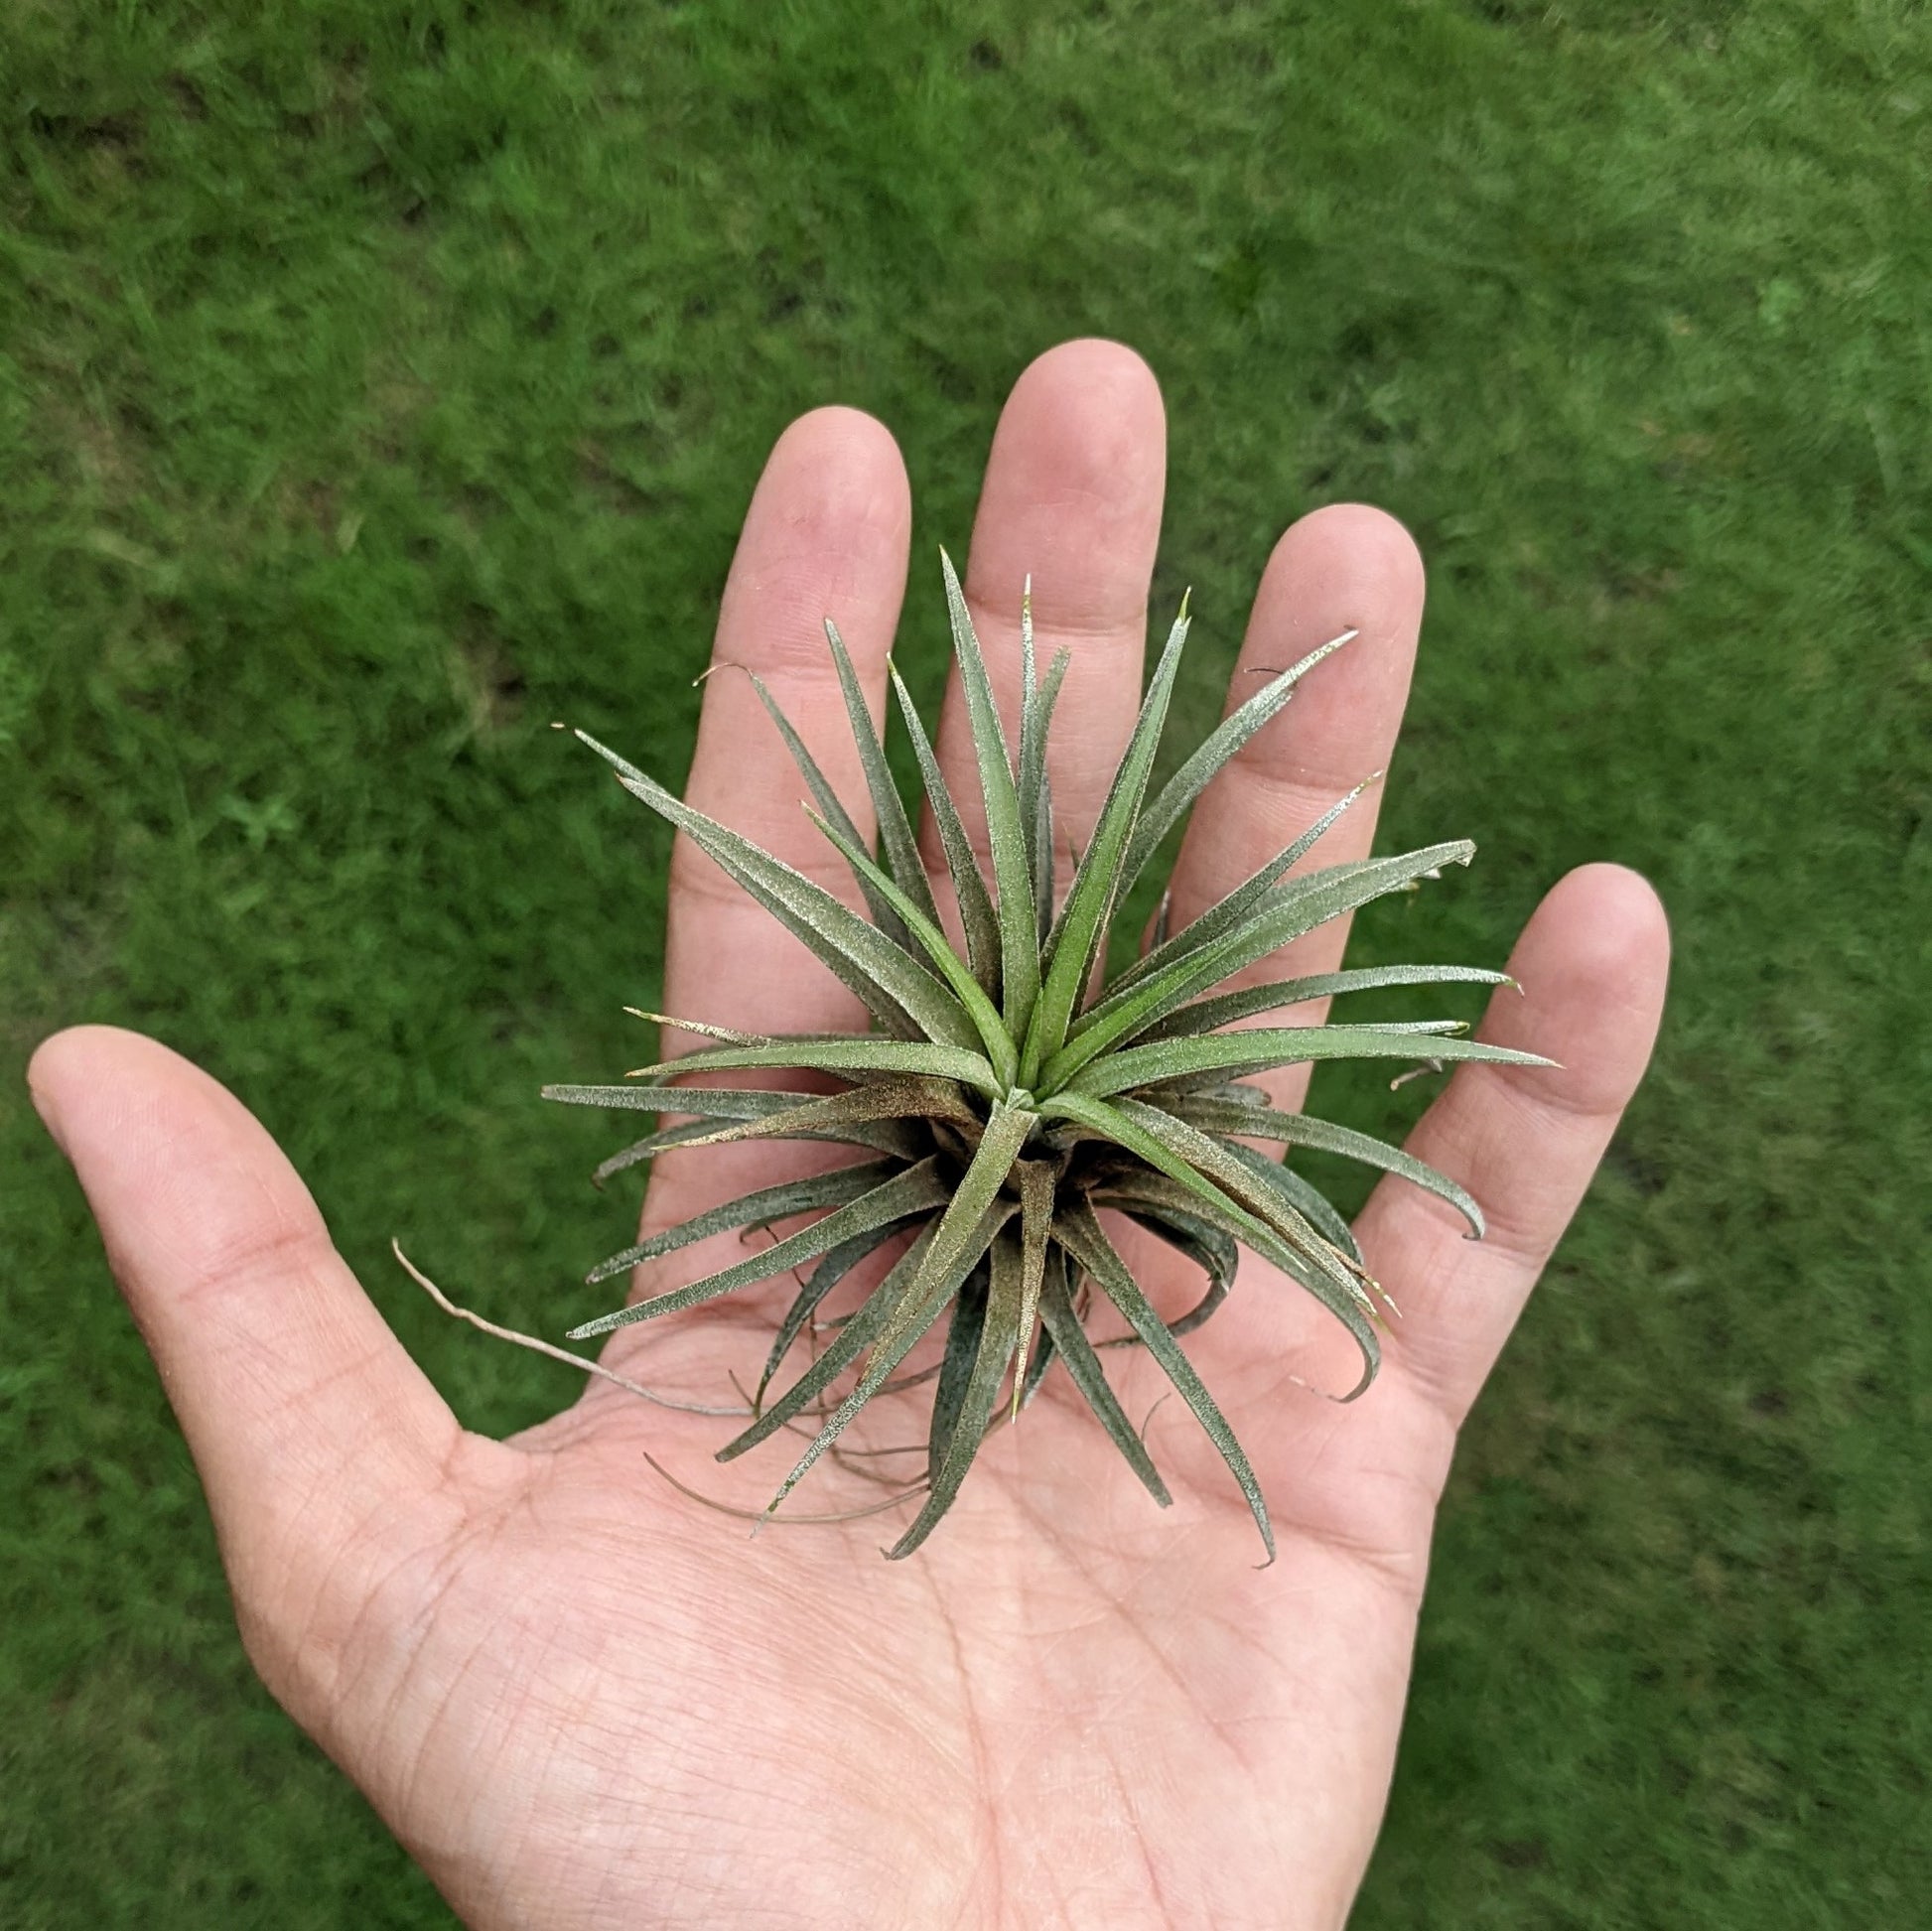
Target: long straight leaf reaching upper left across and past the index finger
894,985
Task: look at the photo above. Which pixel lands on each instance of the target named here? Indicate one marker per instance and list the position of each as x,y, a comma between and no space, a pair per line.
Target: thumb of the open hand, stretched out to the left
304,1414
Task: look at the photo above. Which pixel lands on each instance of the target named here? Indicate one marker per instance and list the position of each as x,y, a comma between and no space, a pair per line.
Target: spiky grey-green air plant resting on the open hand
1006,1097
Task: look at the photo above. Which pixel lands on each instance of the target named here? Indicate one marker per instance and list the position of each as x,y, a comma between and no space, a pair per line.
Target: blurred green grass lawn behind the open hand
382,382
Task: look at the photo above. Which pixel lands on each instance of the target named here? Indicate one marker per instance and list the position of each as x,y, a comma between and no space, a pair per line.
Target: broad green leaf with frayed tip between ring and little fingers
1284,915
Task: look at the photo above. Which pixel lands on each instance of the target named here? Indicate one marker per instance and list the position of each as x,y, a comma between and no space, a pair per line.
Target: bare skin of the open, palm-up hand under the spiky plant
582,1700
